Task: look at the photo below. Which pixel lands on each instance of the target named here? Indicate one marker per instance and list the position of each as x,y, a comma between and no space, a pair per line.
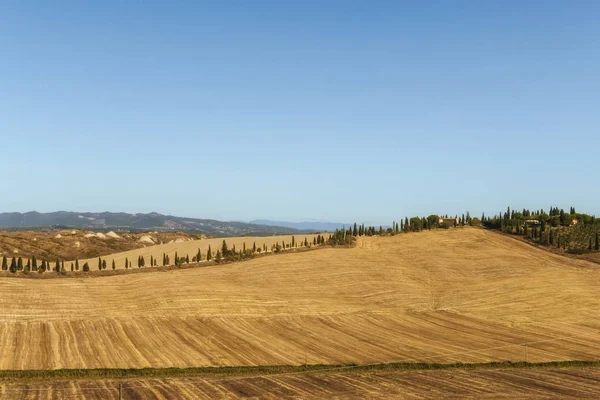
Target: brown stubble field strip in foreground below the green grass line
564,383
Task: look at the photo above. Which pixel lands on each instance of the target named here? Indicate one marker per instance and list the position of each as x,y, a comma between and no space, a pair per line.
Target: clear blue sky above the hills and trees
332,110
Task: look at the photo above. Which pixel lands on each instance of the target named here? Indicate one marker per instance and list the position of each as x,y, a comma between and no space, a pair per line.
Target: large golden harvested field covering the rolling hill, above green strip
458,295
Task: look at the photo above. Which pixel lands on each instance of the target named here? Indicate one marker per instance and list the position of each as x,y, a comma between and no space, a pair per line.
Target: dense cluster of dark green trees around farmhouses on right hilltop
571,231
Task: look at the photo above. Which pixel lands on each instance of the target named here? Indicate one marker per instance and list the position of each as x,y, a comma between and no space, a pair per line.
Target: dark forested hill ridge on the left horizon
151,221
